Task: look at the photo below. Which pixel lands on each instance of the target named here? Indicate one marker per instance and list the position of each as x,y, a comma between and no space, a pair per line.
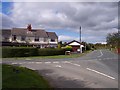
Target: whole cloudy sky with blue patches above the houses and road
96,19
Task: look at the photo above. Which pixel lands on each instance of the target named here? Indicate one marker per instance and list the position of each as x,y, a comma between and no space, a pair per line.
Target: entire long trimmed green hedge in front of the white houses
30,51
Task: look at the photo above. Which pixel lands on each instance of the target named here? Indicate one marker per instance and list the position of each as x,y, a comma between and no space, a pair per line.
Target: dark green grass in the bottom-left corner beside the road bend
21,77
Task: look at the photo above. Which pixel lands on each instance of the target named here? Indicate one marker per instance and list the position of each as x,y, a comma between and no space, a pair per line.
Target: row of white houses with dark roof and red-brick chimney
29,36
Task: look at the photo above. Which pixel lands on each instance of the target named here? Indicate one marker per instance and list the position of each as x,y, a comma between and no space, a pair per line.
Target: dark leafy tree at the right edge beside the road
113,39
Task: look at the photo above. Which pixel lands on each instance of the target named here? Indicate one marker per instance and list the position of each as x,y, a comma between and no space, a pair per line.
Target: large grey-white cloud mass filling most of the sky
95,17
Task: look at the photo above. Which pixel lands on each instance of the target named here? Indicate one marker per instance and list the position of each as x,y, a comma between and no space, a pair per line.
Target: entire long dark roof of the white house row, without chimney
25,32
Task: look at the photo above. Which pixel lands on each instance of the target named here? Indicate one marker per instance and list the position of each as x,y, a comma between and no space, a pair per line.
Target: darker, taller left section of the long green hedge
19,52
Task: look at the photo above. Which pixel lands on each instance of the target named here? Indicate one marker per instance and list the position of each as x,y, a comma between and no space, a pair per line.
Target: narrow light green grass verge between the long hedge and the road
54,57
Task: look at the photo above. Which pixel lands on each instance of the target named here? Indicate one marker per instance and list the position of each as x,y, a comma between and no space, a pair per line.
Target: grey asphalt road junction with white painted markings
98,69
